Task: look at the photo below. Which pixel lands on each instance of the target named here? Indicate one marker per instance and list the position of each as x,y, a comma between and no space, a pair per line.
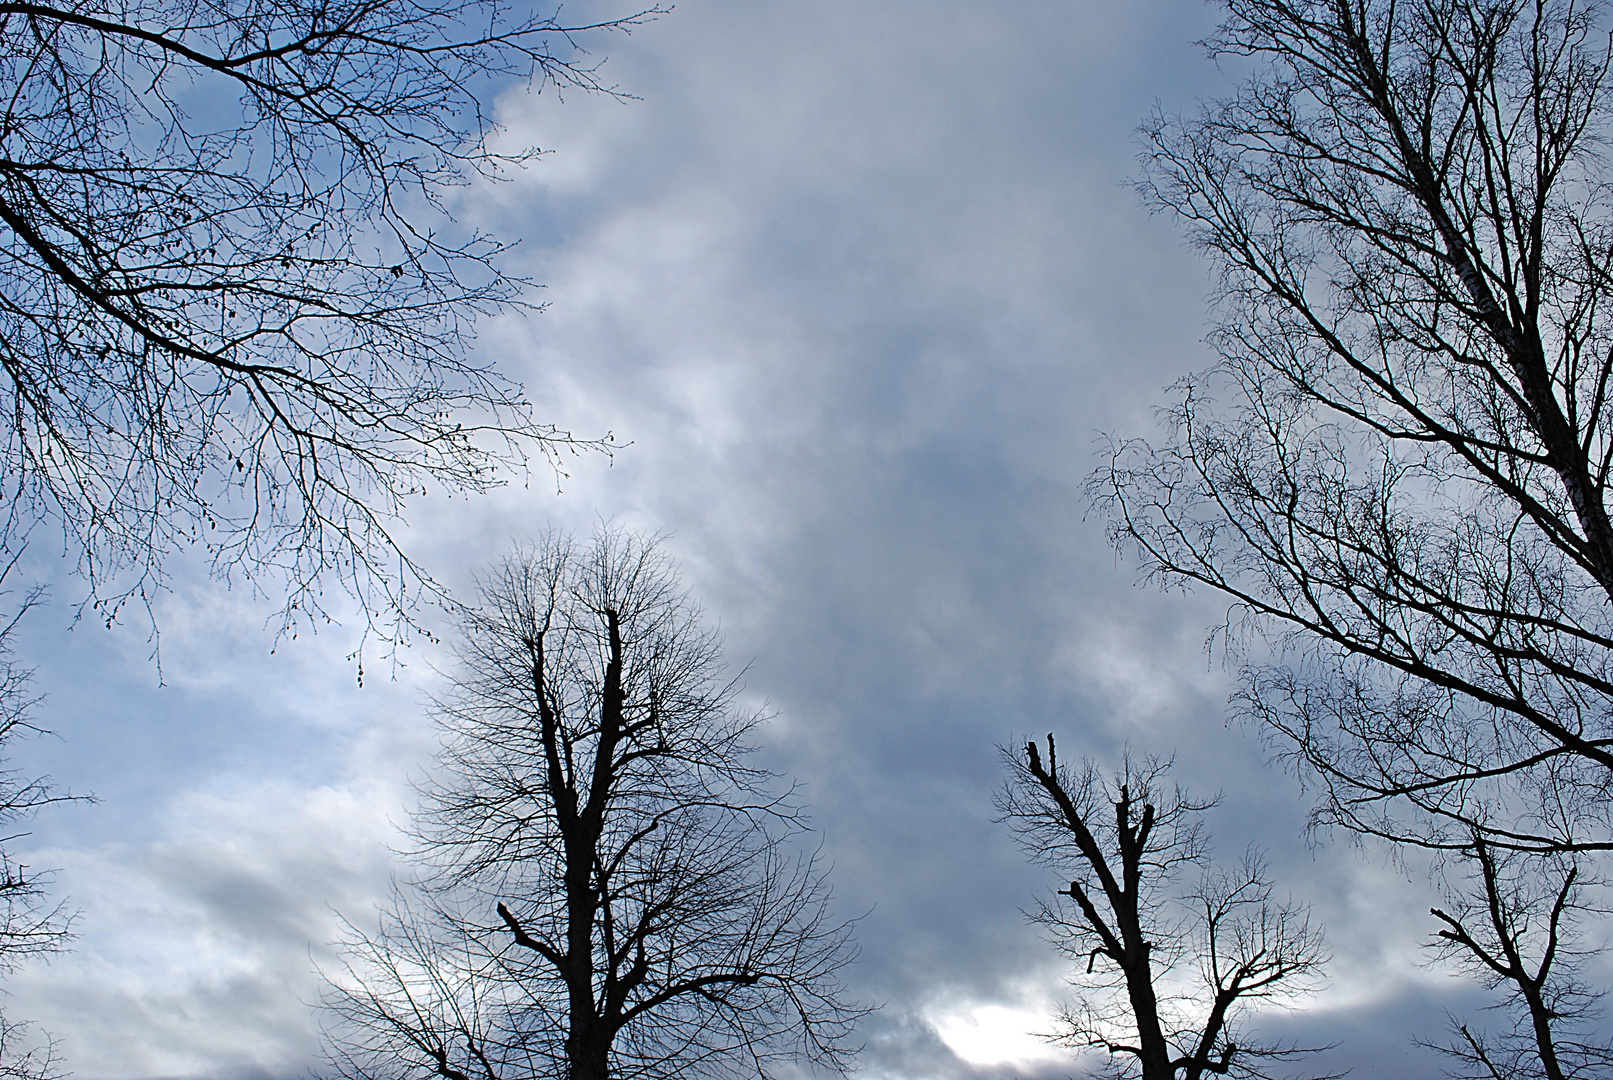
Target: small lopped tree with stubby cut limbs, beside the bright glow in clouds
1182,966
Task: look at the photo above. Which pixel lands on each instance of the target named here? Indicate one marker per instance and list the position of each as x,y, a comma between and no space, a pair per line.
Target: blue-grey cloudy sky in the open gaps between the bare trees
864,288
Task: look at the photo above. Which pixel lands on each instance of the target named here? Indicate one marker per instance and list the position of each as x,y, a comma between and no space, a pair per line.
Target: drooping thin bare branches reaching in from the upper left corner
233,302
